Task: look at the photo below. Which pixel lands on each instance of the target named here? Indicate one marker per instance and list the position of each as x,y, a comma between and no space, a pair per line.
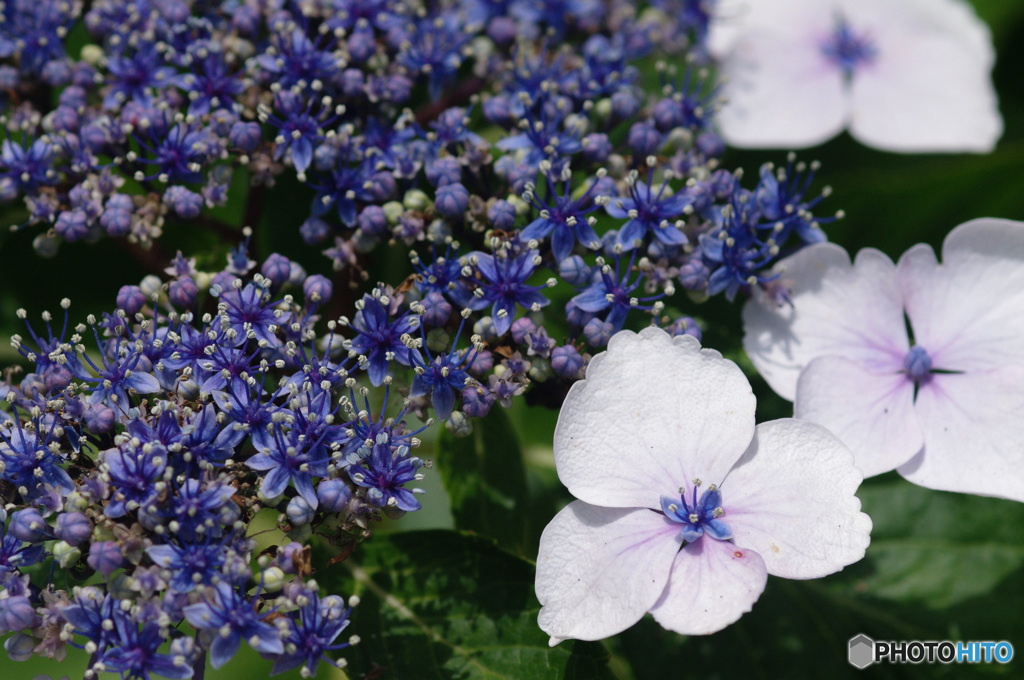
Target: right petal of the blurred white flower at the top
928,89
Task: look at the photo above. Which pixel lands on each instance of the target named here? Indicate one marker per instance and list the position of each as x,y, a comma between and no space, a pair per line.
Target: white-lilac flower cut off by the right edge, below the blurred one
944,404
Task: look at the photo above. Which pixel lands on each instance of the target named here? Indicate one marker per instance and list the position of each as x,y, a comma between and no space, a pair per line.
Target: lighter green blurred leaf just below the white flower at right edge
925,542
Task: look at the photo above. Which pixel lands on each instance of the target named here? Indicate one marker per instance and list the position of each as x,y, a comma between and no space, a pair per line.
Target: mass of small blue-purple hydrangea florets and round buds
545,202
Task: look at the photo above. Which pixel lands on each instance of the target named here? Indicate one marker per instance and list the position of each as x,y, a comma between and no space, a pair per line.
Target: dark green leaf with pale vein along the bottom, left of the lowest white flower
443,605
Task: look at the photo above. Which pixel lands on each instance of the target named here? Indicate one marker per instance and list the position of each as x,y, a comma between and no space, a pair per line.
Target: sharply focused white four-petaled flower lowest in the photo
686,506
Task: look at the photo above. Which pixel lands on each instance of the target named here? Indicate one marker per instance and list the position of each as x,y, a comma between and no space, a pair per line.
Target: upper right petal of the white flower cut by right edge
969,312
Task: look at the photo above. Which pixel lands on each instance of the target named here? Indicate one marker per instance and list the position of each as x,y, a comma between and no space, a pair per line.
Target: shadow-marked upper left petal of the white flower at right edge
838,309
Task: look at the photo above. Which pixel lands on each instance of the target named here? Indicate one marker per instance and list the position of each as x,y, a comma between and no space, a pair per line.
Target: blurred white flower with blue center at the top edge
903,75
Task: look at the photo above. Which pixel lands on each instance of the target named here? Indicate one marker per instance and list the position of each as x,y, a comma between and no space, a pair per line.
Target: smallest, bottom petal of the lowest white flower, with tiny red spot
713,584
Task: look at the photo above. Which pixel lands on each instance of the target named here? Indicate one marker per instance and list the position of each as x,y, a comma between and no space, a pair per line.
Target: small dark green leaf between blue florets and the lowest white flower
486,481
